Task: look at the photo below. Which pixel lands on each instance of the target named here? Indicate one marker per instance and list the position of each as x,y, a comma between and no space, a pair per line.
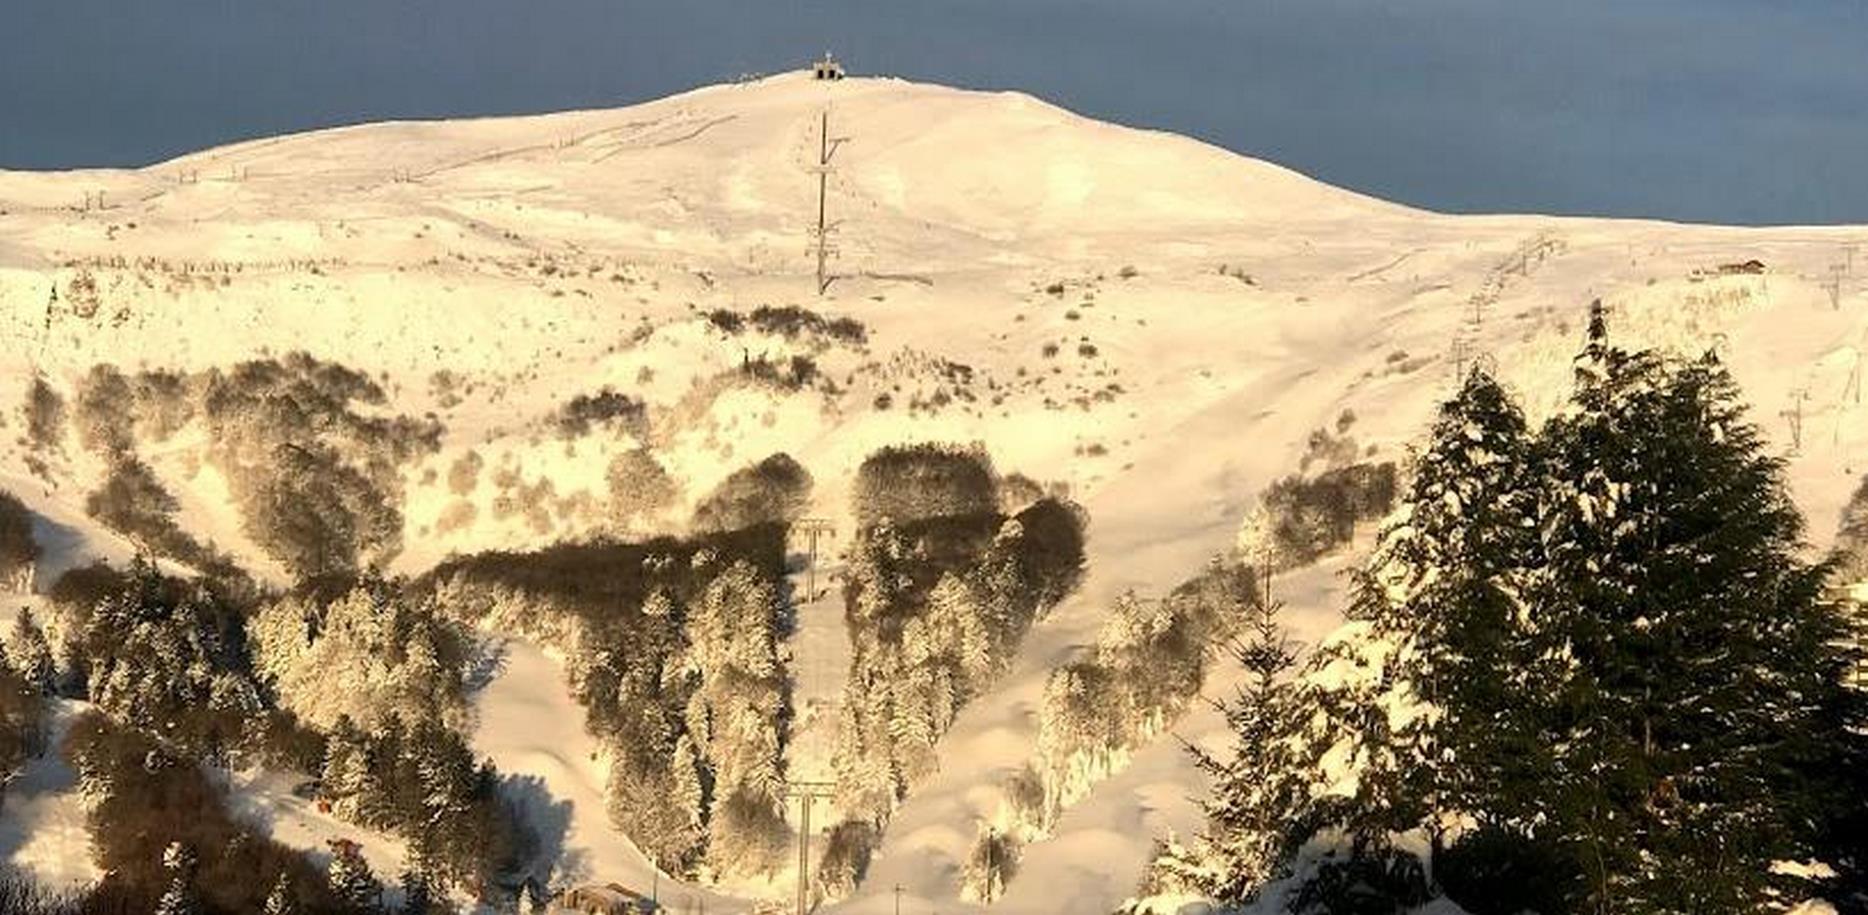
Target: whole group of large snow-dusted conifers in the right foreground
1587,668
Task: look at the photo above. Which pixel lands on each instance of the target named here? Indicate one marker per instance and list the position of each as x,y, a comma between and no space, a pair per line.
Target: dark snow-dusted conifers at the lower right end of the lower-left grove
423,783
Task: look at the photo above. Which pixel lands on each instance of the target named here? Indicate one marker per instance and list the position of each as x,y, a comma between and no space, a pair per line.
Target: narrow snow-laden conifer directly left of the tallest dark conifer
1443,591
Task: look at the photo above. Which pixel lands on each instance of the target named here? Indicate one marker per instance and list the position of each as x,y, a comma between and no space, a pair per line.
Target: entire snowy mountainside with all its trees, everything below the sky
496,514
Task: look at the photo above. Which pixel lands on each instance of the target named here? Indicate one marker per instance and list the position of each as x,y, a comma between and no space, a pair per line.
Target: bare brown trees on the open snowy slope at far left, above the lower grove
311,462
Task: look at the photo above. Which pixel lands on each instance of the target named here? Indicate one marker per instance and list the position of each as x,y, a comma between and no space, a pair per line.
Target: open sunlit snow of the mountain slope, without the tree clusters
1150,320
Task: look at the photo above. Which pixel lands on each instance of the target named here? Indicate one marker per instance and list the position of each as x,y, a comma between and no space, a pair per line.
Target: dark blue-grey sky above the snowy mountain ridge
1729,111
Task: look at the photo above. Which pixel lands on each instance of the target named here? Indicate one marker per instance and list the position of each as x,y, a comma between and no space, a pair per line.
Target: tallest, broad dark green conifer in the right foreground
1693,647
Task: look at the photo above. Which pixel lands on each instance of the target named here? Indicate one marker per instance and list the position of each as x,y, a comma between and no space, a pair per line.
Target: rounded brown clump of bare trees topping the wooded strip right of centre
911,483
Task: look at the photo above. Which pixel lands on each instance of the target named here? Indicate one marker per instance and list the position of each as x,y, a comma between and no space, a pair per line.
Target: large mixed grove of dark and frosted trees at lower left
186,673
